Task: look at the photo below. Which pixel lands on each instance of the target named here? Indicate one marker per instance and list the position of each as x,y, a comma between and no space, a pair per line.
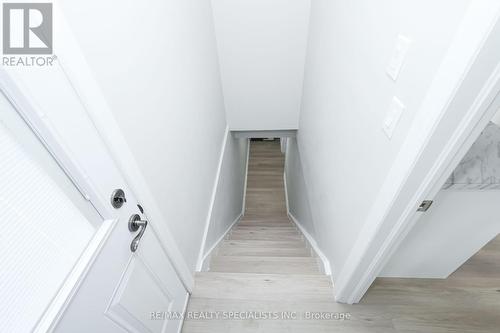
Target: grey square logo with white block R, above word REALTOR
27,28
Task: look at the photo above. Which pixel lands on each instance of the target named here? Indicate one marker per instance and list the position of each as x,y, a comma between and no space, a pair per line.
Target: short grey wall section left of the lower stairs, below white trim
228,204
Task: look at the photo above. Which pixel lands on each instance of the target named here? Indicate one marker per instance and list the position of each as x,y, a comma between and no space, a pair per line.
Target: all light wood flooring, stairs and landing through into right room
265,268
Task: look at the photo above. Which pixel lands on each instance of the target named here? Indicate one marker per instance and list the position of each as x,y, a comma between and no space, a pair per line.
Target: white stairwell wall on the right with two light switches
344,152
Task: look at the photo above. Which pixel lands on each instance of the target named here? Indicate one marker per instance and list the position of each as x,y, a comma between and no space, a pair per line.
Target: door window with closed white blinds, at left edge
43,231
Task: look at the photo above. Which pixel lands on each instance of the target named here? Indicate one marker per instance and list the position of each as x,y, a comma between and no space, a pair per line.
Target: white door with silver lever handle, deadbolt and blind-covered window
66,258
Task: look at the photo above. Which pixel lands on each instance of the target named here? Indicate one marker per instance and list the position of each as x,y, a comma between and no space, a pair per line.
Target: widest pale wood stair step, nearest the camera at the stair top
248,286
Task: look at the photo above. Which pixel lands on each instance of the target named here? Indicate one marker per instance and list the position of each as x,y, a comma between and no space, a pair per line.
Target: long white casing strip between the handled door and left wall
78,73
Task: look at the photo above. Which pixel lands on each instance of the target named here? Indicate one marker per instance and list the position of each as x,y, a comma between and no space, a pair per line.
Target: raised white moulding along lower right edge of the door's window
66,293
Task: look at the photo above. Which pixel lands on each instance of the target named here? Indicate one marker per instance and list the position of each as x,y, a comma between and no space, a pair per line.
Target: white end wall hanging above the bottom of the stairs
262,47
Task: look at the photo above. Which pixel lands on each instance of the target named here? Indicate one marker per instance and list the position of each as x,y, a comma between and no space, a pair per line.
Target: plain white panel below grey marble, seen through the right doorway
457,225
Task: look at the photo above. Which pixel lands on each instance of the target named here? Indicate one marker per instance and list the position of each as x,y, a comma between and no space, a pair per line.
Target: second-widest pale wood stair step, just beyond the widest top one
277,265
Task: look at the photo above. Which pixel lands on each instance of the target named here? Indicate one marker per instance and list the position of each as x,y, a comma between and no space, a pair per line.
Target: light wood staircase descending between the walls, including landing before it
264,265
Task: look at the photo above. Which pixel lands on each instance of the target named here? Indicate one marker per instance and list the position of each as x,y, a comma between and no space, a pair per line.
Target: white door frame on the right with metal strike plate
423,164
